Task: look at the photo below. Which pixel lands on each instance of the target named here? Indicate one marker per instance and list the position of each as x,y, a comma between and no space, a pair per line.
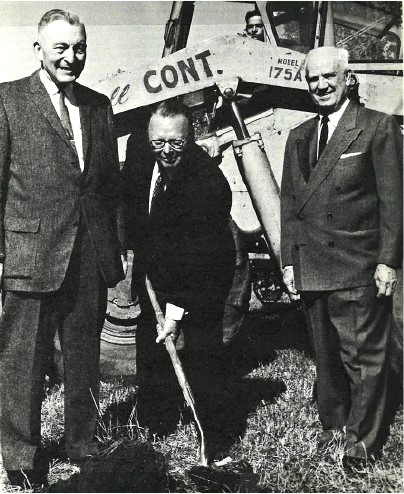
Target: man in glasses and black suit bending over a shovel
178,206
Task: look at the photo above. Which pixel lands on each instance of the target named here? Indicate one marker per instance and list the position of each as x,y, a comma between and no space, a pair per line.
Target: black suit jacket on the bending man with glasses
186,246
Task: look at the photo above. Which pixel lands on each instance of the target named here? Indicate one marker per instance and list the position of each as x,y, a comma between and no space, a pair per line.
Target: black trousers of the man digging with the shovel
200,348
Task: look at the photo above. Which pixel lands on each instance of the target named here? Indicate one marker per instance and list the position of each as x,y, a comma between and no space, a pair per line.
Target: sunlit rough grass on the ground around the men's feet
271,437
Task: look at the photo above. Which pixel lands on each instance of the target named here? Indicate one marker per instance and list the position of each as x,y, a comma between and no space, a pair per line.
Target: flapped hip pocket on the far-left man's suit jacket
21,237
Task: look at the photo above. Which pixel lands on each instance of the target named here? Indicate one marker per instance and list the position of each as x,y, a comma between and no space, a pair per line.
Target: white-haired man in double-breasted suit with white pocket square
341,209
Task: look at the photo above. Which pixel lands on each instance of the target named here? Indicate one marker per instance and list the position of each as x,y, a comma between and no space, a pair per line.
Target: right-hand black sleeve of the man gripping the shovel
199,259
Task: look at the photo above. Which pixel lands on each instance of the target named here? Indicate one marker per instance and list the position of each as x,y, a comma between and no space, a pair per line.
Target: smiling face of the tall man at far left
62,51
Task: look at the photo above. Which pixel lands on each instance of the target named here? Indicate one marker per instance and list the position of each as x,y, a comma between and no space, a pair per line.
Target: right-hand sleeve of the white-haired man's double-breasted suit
386,154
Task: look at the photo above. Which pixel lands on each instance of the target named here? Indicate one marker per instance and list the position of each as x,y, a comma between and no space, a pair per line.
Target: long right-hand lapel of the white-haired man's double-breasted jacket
345,133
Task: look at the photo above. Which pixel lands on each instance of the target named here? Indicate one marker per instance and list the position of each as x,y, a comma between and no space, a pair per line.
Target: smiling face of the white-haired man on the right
328,81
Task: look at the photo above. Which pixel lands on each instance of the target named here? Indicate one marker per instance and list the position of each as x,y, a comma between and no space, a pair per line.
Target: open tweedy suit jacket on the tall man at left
43,193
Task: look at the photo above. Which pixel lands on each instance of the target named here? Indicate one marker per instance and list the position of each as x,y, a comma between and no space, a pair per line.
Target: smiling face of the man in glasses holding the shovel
168,129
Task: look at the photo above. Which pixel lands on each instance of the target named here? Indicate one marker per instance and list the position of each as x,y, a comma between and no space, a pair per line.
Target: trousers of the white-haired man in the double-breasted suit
351,332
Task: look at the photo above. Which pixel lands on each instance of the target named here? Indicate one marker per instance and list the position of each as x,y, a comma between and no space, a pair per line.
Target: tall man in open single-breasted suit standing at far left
59,247
